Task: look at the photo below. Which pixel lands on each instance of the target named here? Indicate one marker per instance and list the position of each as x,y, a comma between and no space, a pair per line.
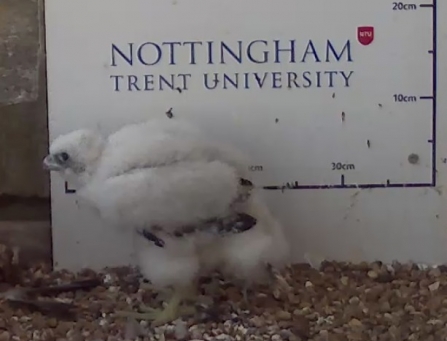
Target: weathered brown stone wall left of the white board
24,185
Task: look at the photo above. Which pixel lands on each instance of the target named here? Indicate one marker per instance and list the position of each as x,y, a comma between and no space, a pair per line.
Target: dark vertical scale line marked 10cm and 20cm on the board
434,102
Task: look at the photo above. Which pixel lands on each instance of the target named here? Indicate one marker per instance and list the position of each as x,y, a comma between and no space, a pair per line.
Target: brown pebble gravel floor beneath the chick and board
338,302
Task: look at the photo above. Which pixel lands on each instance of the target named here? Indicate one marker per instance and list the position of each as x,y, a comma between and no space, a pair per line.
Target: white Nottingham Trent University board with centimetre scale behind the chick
339,103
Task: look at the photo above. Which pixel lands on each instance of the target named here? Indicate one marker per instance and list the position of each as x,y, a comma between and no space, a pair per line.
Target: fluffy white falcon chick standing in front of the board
191,200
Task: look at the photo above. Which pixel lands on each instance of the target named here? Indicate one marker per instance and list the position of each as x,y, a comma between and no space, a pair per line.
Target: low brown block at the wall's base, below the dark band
32,237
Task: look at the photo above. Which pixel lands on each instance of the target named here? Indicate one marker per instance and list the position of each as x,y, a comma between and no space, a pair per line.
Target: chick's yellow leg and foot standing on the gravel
171,312
